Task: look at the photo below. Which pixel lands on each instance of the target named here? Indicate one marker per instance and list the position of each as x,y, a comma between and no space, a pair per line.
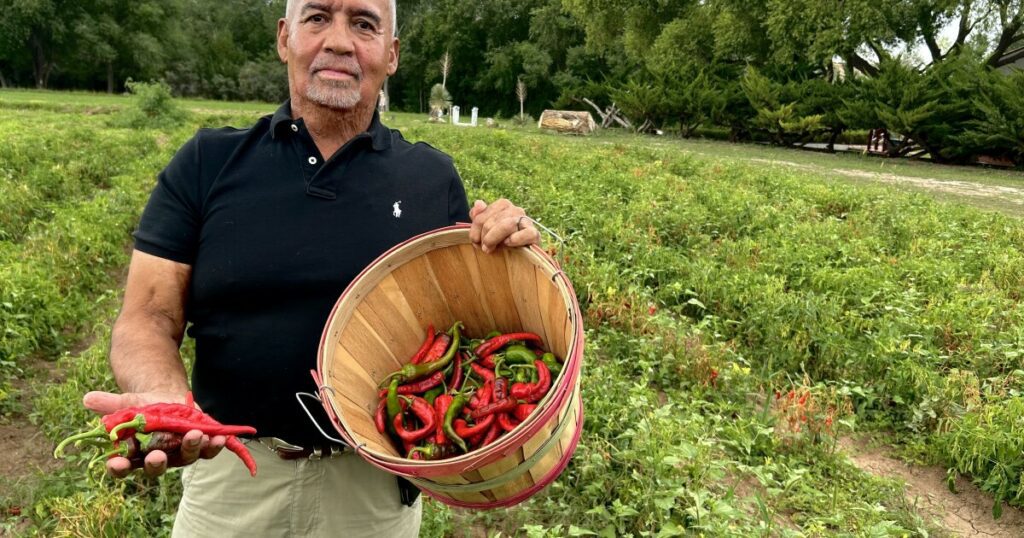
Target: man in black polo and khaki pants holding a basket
251,236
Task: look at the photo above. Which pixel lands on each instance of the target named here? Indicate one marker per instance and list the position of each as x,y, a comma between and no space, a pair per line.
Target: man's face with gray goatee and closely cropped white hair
338,52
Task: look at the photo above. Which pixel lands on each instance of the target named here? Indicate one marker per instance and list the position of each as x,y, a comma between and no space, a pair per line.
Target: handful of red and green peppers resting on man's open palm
135,432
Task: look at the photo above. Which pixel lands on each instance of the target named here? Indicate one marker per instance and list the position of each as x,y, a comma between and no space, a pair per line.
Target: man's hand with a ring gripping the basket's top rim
501,224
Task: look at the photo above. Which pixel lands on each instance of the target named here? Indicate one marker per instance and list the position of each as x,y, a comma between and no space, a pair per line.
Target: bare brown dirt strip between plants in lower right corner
967,514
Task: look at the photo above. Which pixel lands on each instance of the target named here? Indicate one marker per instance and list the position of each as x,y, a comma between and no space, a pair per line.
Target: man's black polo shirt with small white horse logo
275,234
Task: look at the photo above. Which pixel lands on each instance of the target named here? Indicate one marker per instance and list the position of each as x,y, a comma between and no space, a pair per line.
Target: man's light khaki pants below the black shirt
340,496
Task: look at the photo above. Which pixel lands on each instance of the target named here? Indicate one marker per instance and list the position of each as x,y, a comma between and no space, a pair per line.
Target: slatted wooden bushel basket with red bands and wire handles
437,279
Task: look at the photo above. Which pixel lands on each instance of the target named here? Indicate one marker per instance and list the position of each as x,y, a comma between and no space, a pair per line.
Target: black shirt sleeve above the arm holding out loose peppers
173,219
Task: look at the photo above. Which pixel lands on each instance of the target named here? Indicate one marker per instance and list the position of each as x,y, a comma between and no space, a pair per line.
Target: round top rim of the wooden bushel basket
482,457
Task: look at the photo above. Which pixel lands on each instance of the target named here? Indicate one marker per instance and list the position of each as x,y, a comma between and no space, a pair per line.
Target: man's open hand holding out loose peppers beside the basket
195,444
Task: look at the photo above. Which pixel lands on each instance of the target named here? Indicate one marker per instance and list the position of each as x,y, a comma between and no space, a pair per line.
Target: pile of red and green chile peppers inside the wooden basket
458,394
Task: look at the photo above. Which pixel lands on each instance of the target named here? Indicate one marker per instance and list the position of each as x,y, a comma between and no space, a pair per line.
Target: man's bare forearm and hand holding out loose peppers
145,356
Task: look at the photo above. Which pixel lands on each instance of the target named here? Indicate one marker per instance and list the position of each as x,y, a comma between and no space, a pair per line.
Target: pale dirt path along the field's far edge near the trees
1001,194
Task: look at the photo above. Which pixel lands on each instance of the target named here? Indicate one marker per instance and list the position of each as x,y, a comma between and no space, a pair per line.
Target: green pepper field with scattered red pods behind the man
744,323
